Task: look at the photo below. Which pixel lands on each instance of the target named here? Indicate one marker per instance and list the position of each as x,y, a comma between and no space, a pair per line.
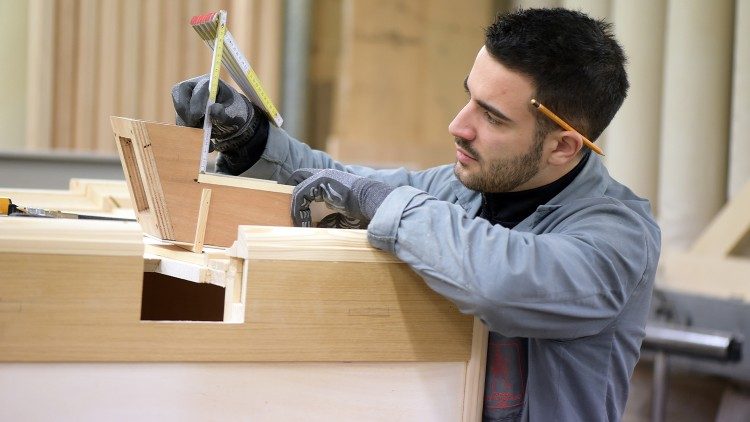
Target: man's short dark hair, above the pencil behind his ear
577,66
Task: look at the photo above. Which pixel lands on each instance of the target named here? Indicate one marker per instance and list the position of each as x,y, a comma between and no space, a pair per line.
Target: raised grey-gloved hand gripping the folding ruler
233,116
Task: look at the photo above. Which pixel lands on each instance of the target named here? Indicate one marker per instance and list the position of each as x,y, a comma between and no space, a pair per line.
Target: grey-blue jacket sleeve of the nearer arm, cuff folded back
568,283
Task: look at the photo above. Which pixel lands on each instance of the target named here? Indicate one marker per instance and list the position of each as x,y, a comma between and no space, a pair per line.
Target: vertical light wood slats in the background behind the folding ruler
93,59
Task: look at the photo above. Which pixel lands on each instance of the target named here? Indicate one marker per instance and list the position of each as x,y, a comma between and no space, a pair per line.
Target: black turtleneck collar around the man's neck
510,208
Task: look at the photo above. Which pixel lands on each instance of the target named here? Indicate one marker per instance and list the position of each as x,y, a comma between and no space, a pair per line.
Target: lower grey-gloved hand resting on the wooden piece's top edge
354,196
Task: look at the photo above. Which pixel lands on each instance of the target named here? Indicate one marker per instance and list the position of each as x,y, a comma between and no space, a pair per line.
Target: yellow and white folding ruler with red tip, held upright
212,28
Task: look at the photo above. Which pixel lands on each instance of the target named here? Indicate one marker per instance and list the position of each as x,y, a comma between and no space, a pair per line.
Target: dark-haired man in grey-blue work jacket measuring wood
526,230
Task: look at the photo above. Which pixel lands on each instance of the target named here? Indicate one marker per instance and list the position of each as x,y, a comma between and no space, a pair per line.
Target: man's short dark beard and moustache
502,175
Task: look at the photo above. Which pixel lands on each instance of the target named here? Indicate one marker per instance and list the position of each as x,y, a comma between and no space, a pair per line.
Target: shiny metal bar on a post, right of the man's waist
668,339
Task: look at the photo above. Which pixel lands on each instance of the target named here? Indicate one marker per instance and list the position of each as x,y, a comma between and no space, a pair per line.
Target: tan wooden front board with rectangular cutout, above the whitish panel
72,292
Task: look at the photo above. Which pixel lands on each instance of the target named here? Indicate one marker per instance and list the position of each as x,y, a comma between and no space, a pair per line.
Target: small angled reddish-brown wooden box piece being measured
160,163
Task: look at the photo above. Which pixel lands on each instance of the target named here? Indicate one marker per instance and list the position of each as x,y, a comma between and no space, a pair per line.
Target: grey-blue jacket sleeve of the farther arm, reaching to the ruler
284,154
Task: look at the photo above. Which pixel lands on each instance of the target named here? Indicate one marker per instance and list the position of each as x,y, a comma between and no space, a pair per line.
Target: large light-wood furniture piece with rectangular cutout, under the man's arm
327,317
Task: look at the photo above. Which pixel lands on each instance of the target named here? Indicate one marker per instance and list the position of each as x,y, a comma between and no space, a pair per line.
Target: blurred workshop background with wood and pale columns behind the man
376,82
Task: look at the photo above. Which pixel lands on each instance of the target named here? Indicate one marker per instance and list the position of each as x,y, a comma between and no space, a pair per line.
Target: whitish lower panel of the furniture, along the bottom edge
256,392
